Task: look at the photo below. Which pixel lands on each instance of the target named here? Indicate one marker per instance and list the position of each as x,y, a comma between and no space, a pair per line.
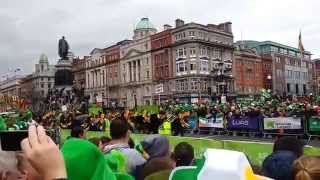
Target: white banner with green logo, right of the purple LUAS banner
282,123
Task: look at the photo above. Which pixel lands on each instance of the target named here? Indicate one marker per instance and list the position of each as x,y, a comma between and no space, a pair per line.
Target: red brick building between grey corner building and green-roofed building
248,72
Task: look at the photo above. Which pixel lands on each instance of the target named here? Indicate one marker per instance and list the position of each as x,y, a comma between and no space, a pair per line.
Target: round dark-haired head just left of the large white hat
183,154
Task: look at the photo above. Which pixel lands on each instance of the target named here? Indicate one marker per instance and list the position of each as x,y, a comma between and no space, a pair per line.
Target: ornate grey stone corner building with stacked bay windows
200,53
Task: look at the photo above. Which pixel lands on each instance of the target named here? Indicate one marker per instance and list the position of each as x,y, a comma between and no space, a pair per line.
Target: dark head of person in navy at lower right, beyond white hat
289,143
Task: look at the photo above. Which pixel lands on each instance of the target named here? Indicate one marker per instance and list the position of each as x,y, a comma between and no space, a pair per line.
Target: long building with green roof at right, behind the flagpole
291,70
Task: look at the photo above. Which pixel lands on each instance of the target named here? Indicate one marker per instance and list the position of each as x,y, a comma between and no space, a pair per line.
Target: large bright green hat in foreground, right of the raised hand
84,161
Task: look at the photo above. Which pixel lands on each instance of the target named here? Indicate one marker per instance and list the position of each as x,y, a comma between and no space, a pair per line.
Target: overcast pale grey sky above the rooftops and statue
31,27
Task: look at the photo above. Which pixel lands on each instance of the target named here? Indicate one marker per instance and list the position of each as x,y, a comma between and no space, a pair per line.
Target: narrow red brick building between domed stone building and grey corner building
161,55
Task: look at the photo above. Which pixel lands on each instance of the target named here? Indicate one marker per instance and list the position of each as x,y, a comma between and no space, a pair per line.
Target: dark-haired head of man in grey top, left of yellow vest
119,129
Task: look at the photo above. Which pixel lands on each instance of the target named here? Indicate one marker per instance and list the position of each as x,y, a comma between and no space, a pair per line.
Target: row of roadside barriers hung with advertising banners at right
260,126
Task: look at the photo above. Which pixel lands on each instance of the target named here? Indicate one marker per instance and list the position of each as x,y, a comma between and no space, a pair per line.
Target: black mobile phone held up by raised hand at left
10,140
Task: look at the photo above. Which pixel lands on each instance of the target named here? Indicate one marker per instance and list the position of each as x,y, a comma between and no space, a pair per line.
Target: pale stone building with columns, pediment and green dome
136,66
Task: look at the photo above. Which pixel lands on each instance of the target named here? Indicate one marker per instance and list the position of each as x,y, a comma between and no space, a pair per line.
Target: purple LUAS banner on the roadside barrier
243,123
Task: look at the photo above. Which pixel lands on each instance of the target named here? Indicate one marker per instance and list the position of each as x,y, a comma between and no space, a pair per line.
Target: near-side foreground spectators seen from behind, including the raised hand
119,157
